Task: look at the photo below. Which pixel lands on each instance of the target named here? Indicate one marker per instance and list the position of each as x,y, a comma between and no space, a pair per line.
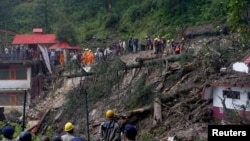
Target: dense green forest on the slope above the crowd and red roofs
79,21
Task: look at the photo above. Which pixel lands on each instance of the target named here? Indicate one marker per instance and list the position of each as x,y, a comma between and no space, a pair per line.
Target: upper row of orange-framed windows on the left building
13,73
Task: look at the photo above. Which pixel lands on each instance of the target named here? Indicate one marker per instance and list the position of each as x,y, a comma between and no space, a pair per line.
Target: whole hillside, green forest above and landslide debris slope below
121,83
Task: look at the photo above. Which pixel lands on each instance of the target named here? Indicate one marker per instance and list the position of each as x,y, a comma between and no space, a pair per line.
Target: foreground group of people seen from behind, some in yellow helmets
110,130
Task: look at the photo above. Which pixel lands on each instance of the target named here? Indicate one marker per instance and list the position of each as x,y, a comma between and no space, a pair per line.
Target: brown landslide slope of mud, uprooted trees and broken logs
178,85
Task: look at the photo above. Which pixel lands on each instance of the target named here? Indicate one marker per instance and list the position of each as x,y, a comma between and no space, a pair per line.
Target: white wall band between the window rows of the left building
16,84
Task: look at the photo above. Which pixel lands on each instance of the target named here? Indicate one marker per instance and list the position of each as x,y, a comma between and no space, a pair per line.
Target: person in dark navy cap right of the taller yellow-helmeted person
130,132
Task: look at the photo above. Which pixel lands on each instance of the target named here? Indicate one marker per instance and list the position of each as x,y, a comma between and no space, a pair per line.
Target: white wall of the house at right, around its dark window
230,103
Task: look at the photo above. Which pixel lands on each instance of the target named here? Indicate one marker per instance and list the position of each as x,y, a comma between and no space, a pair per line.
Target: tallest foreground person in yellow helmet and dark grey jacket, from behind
109,129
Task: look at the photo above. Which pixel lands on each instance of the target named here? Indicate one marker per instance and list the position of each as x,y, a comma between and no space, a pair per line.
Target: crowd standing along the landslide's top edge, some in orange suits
159,45
